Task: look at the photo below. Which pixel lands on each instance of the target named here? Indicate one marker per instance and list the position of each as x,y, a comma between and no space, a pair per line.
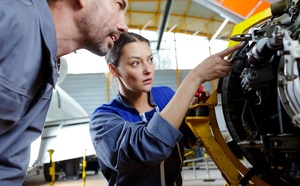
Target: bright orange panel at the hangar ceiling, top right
242,8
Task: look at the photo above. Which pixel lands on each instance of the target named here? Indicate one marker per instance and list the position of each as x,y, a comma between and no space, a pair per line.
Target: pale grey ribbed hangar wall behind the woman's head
89,90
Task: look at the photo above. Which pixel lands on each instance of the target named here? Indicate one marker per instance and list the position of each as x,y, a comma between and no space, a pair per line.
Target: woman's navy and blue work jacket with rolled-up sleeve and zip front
134,151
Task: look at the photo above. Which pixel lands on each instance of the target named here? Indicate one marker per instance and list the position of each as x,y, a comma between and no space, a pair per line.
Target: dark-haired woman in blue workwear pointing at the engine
136,135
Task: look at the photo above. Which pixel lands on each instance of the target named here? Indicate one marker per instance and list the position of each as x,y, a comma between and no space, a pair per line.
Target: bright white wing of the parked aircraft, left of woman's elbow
68,138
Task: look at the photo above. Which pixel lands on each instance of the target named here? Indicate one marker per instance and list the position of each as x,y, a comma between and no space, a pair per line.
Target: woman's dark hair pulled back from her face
114,54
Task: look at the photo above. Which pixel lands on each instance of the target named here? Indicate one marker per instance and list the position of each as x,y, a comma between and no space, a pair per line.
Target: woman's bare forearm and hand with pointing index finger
211,68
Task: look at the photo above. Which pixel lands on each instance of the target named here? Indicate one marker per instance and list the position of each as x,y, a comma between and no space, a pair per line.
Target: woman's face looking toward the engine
136,67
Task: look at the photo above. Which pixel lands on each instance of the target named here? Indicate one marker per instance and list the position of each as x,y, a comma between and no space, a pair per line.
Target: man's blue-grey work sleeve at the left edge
20,56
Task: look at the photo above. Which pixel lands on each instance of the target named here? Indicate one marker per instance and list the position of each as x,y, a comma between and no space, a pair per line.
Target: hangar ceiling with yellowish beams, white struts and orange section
208,18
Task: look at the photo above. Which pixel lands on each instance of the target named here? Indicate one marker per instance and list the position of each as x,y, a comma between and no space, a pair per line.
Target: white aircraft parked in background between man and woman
66,131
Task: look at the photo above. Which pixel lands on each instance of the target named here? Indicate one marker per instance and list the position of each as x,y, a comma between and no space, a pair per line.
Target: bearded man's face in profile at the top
102,24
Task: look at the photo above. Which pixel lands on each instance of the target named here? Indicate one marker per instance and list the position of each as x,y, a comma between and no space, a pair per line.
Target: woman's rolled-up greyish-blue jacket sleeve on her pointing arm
119,143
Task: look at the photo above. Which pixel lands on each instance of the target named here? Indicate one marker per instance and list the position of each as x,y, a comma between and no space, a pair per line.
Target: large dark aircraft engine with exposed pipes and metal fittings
261,96
